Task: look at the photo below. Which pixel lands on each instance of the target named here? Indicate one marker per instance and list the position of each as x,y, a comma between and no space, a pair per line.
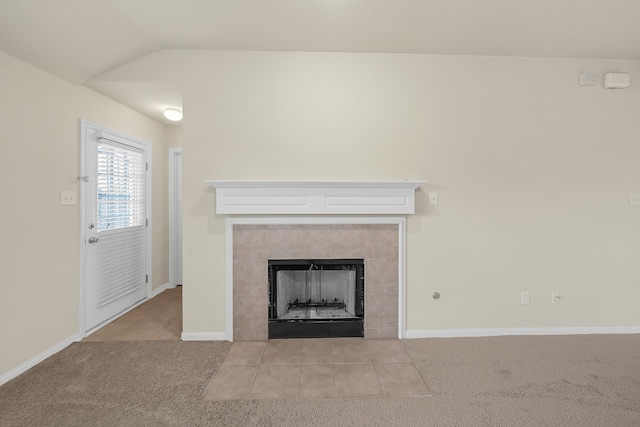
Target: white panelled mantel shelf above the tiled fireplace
315,197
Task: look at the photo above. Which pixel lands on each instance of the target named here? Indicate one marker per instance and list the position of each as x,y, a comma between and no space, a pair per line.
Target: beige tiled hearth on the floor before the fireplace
316,368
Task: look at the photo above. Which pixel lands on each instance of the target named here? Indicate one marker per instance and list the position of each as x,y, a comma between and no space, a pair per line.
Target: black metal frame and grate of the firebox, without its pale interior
348,325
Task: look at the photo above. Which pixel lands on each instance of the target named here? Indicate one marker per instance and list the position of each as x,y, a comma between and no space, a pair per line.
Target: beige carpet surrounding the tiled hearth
504,381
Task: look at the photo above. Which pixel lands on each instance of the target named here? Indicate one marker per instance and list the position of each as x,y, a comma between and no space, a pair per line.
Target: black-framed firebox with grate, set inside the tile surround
316,298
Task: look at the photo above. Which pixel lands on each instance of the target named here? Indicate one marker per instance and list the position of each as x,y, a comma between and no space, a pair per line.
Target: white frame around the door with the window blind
82,303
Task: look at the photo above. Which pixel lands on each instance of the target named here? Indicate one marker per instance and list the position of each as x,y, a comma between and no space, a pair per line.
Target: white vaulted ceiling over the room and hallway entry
78,40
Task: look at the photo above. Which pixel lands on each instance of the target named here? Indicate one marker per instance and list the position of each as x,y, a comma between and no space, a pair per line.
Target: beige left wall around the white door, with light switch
39,239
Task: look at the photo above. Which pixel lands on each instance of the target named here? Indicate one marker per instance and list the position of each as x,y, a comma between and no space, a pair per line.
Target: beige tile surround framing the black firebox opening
254,245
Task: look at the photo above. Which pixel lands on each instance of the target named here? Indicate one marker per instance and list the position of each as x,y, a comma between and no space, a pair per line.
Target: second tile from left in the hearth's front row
276,381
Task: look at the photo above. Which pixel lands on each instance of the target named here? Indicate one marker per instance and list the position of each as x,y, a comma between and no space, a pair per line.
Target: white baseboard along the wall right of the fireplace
496,332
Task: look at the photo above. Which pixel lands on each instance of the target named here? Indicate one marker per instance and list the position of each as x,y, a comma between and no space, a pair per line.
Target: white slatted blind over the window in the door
121,180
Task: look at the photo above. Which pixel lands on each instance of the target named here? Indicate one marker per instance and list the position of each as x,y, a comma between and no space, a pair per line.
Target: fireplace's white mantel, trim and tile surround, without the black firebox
352,220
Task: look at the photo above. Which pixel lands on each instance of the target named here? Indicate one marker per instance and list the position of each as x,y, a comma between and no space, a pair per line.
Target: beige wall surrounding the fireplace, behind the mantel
533,173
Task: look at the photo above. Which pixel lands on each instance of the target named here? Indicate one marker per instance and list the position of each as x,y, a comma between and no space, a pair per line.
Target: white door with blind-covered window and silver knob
116,225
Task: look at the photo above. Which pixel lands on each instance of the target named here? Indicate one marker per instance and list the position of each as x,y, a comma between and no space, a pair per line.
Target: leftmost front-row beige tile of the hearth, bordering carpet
231,382
